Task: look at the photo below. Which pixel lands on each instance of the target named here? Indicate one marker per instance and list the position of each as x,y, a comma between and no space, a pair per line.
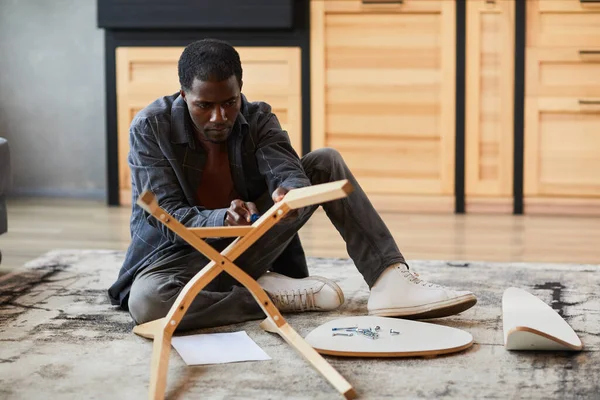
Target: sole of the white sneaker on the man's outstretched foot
433,310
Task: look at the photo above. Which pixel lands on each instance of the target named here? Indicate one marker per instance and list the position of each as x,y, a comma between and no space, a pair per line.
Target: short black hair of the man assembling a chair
209,60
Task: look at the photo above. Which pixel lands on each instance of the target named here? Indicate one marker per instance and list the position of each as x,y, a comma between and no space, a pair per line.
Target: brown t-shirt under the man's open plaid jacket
216,186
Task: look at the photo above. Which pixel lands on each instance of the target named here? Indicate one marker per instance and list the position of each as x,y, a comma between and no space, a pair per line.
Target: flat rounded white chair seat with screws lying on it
415,338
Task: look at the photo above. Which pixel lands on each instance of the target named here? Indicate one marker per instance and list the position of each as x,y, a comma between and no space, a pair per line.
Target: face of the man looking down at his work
213,107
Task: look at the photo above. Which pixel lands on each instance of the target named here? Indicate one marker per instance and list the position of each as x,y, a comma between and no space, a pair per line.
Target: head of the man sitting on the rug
210,75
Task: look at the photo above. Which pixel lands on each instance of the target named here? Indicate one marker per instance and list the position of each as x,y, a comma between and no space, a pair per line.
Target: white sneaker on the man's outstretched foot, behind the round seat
399,293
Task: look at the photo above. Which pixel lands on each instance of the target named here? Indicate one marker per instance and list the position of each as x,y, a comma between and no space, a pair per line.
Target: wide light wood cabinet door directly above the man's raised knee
382,93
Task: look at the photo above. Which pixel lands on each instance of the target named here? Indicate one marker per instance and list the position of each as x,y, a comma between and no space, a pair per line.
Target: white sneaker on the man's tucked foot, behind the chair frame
314,293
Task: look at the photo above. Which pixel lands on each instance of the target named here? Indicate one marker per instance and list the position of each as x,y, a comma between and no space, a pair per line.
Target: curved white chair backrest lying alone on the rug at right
530,324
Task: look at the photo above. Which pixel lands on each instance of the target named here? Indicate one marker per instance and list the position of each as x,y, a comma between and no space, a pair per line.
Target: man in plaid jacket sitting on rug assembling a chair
213,159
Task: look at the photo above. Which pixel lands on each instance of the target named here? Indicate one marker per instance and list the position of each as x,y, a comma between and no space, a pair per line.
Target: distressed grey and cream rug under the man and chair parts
62,340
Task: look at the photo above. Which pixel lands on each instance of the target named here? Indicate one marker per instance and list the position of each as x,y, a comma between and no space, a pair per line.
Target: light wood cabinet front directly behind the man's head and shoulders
270,74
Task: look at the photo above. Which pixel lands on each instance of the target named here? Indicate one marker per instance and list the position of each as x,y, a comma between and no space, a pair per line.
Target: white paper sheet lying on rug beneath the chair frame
218,348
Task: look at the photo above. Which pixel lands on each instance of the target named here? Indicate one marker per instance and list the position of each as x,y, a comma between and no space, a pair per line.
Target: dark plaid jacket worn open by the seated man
166,159
